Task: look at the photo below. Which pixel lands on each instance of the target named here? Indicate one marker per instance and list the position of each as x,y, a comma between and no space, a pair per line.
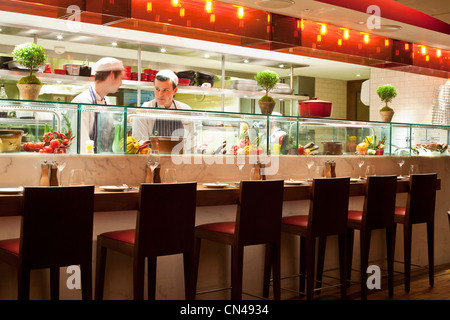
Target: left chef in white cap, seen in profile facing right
108,79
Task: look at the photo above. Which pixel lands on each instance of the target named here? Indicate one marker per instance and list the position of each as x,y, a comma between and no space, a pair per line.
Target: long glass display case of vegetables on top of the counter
102,129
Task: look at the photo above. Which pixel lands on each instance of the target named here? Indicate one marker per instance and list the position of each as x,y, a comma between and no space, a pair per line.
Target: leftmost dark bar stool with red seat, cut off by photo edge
53,235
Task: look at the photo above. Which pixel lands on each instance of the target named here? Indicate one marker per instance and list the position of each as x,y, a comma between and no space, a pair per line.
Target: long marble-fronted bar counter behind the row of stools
101,169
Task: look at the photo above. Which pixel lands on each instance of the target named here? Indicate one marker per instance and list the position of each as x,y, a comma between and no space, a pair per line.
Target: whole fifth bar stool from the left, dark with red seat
377,213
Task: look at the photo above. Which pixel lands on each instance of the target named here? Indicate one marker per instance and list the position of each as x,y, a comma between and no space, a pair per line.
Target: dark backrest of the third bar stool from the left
259,212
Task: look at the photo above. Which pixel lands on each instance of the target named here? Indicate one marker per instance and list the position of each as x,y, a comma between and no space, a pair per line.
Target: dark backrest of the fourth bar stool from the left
328,210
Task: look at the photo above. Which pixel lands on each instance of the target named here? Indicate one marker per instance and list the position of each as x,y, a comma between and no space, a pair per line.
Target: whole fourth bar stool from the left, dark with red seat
327,216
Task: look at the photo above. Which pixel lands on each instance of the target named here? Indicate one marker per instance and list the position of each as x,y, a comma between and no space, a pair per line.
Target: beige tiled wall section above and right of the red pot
334,91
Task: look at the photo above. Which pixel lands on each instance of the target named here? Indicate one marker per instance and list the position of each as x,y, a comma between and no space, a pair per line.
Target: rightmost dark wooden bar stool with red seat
420,206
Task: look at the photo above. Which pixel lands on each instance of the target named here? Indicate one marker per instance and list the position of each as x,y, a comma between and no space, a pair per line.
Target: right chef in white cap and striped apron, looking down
166,86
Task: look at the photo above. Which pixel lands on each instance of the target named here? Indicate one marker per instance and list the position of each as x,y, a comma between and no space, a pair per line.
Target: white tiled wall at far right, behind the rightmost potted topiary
414,101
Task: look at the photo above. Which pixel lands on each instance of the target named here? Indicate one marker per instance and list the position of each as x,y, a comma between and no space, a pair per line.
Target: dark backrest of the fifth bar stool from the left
379,203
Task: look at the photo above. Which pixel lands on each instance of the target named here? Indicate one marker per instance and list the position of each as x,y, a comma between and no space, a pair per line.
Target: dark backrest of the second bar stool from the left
166,218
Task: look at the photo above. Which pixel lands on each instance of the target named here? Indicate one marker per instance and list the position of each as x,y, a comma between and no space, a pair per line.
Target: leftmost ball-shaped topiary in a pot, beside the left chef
31,56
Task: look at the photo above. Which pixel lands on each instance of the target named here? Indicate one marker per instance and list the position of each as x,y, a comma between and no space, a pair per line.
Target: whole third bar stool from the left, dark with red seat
258,221
